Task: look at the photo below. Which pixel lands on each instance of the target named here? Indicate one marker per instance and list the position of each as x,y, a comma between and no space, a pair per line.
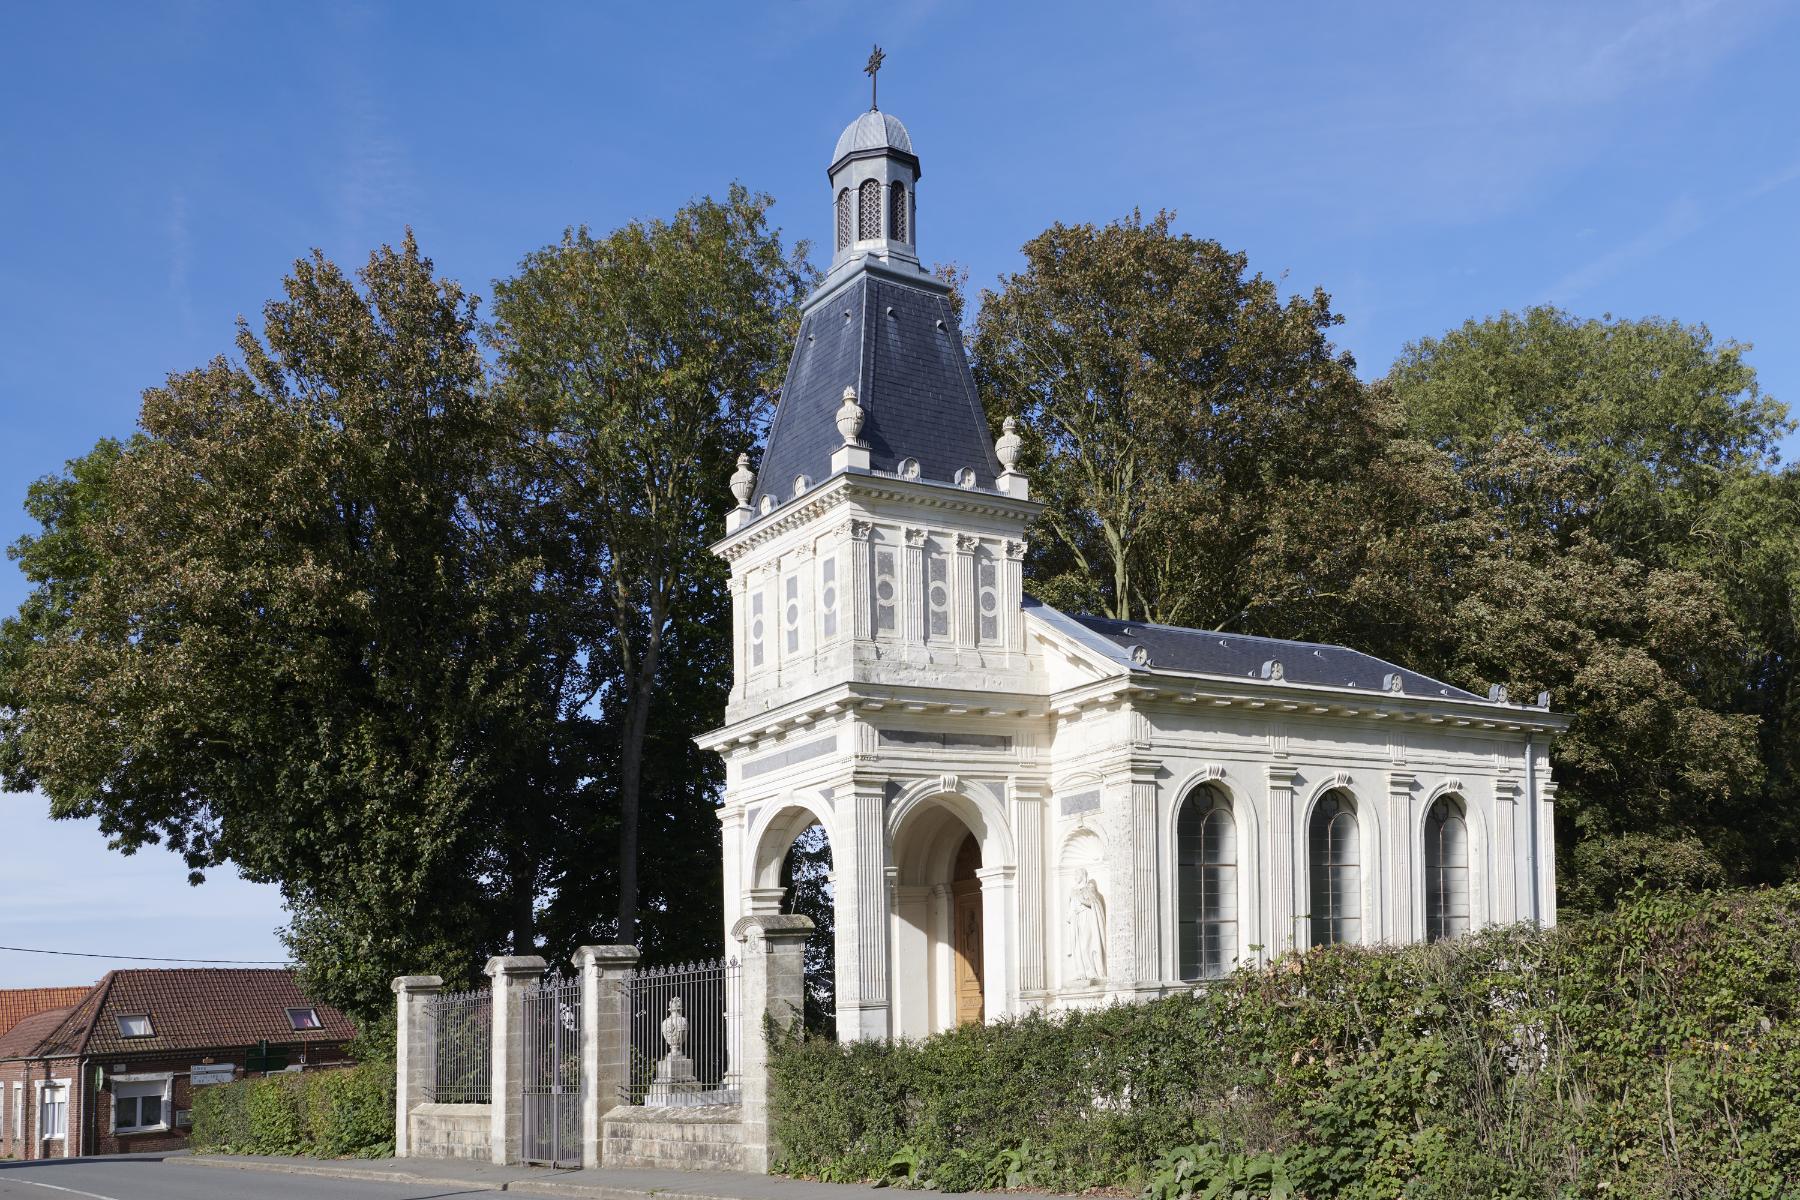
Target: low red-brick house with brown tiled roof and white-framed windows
114,1071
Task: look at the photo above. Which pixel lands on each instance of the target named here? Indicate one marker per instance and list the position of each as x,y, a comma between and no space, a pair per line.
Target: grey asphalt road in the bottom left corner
154,1179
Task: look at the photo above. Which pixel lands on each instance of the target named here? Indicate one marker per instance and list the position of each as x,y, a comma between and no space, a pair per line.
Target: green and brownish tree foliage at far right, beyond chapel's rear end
1642,569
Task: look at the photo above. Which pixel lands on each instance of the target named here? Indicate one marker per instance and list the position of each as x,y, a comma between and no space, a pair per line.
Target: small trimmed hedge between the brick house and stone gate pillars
327,1115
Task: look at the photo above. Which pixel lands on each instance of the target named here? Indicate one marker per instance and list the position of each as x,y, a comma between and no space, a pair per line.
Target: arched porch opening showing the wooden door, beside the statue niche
951,911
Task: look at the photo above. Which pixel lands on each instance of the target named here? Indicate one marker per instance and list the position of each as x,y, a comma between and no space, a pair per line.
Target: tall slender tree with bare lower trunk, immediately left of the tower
645,363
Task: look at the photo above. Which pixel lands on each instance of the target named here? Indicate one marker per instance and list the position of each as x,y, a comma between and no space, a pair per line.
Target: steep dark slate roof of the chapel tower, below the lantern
901,348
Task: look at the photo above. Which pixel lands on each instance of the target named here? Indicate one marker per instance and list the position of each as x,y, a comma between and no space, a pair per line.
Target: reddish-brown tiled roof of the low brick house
190,1010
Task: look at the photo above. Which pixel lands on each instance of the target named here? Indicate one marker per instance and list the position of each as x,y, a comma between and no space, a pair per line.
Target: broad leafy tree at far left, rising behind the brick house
285,629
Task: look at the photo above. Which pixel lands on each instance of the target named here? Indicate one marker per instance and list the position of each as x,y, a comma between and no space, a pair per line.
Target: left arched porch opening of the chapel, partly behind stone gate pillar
795,873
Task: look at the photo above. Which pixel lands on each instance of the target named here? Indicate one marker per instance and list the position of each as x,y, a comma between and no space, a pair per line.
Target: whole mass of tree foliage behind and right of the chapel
1574,506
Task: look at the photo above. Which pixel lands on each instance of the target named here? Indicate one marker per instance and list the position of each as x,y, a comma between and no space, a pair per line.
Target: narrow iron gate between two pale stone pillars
552,1030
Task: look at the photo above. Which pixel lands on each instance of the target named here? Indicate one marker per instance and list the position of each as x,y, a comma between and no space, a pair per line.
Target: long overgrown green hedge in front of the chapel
1648,1053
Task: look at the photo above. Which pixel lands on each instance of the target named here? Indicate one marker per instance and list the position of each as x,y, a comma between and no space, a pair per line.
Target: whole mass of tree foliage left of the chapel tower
406,640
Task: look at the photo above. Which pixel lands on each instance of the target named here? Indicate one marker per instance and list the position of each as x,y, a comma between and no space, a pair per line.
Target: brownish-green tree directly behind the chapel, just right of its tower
1173,406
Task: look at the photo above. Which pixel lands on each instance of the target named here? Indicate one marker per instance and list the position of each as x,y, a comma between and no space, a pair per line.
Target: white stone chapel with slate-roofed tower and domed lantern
1030,809
